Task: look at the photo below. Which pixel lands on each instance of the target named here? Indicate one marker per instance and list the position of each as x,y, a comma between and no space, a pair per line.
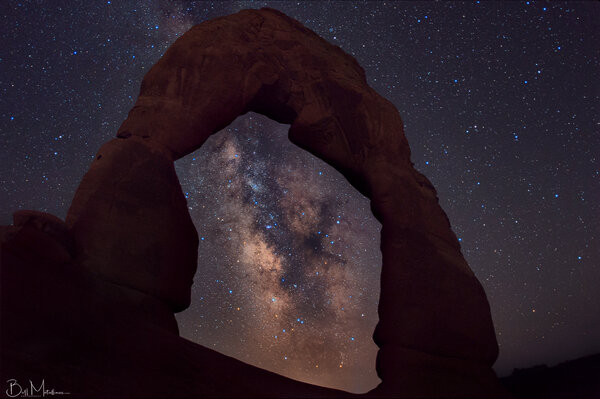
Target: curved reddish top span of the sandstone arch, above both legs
266,62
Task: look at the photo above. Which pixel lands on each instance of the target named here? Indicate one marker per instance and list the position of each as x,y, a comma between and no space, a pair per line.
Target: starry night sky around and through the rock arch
500,106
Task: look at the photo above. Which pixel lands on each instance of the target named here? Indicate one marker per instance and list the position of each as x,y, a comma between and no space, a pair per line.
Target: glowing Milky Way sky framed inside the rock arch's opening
287,253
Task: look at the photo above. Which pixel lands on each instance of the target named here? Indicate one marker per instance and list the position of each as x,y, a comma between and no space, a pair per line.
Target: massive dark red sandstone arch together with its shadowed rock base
127,251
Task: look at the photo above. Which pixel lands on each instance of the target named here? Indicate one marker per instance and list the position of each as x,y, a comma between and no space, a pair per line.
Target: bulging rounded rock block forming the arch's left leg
131,222
